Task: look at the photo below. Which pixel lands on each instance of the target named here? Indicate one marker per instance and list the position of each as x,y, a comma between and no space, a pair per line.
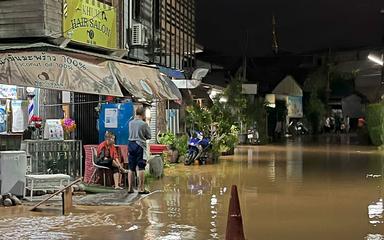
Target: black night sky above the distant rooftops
302,25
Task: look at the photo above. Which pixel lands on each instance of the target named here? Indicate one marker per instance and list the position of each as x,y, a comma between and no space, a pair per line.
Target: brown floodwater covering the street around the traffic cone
286,192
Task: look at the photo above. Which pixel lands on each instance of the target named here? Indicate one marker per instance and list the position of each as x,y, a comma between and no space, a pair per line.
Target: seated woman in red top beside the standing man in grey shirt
107,156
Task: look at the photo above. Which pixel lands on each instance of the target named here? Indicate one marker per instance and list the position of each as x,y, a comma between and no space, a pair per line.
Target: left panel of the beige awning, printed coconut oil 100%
59,72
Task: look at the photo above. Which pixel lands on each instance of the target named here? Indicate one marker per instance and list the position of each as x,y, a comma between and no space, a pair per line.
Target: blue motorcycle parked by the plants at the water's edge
198,148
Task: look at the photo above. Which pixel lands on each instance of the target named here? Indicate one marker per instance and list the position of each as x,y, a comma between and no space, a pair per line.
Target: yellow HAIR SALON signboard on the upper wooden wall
90,22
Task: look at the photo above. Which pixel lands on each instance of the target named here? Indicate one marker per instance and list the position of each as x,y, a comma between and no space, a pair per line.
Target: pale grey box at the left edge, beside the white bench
13,165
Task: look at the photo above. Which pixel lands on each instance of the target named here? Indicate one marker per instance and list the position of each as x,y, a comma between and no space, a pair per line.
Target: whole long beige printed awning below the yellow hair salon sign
48,66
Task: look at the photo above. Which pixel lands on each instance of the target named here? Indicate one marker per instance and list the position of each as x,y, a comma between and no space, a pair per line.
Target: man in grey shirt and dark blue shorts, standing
139,132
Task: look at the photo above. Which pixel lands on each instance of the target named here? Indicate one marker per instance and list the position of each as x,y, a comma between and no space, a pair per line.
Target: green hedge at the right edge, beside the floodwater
375,123
